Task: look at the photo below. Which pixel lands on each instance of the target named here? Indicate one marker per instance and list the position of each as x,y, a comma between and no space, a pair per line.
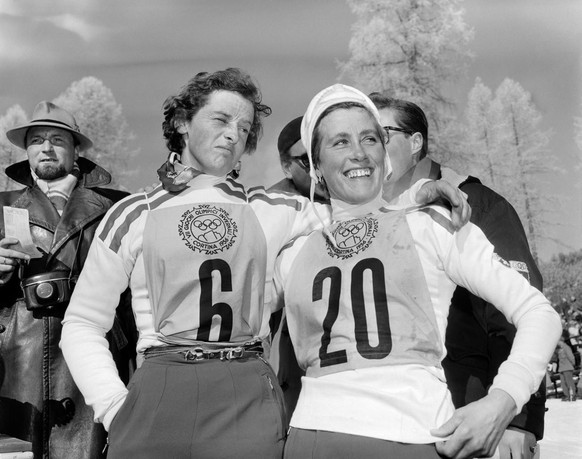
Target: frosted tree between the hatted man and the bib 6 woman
101,118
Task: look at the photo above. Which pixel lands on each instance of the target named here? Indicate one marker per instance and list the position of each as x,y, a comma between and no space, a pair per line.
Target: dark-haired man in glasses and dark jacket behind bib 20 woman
478,337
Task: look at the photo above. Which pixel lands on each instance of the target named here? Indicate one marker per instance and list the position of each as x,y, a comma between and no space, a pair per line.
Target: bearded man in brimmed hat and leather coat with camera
65,199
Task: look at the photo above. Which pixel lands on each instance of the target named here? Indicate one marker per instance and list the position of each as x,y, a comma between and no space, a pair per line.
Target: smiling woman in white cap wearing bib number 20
367,300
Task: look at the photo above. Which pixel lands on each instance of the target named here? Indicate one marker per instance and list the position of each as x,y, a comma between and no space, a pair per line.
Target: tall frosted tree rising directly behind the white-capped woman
411,49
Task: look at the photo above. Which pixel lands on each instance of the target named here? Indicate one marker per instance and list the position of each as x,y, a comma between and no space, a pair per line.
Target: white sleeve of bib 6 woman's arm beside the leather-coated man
89,316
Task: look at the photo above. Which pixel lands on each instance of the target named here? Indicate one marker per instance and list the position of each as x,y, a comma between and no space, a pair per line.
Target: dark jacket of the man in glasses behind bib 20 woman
480,338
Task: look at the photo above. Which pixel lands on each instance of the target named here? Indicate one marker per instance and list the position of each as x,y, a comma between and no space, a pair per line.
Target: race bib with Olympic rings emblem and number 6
200,298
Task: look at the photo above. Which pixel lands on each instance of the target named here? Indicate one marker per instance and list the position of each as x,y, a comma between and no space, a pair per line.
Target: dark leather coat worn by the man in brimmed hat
39,401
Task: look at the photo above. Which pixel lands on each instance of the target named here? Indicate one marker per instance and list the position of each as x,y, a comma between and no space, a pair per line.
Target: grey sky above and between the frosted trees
144,50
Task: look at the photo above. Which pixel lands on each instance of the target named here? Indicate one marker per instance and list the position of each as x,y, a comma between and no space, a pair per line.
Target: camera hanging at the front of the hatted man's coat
48,290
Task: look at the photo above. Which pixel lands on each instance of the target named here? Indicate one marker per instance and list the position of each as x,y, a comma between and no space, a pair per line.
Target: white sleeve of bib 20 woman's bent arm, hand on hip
471,262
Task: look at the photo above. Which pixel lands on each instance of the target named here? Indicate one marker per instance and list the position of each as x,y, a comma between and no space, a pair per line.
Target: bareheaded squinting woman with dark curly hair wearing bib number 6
197,252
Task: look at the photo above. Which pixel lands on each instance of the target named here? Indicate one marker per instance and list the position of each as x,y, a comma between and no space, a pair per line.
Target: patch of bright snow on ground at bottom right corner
563,430
